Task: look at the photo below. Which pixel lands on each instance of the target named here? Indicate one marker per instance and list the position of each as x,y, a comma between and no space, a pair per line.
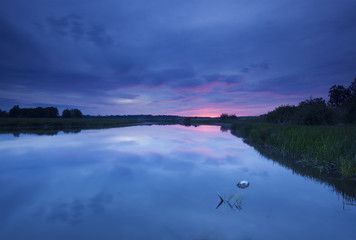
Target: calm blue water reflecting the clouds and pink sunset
158,182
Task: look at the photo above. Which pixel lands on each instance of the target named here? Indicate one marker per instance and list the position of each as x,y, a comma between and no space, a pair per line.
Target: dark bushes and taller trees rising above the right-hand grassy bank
340,108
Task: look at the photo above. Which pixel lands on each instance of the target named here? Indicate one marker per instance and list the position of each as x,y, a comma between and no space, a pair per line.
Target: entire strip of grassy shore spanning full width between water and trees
331,150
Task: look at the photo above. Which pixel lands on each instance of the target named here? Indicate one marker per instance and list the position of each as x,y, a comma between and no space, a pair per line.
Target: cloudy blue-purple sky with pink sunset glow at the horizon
174,57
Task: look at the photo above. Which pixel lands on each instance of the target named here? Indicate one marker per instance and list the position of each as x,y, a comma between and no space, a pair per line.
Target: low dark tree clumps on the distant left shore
40,112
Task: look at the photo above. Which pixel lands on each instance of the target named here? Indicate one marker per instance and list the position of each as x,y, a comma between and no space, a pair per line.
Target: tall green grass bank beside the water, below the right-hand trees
330,149
